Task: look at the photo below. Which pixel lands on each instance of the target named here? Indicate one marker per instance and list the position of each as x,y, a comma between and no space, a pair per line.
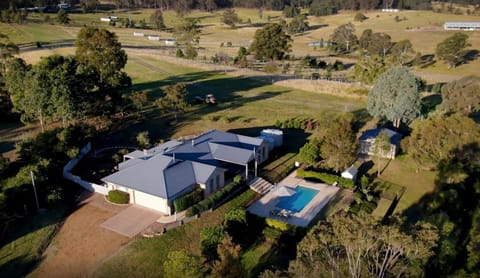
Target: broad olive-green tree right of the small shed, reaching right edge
433,140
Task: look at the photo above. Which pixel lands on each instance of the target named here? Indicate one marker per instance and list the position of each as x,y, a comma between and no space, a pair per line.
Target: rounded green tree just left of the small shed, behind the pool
339,147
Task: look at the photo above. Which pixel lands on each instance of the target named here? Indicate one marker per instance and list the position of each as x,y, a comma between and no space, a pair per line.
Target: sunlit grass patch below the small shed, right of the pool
402,171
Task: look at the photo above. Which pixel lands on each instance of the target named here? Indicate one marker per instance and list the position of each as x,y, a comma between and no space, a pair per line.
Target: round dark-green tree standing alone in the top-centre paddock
271,42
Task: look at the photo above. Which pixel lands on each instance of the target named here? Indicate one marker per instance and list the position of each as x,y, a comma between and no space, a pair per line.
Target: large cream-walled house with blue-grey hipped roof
154,178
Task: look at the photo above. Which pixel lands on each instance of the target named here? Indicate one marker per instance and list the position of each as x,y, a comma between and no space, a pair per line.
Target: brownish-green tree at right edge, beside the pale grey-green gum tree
462,96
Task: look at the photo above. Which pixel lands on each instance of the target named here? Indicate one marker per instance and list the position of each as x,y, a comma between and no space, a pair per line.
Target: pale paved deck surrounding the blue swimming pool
269,202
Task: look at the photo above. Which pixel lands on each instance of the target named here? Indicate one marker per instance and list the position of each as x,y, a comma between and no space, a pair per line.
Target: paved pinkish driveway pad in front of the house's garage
132,220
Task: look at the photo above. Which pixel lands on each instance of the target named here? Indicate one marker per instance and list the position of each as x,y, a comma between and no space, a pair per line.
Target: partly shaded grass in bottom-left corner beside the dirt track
24,247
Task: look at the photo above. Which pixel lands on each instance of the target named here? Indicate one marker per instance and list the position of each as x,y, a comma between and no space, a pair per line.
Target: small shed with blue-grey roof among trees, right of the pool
367,140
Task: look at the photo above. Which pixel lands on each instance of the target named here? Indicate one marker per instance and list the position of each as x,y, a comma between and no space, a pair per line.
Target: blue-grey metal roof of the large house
174,166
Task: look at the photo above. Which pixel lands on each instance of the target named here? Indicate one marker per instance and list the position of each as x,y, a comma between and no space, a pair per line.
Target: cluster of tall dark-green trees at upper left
67,88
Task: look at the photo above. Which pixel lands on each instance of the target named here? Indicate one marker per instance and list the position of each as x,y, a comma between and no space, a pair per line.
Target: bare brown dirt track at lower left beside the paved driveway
81,245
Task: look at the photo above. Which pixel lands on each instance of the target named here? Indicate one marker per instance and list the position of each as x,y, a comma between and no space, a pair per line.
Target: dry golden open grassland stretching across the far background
423,28
